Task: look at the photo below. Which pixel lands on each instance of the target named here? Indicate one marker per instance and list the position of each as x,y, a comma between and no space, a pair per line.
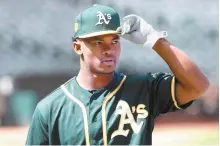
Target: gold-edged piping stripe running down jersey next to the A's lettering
107,98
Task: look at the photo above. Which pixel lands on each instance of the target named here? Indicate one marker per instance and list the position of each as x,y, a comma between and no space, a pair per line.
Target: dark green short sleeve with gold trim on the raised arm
162,93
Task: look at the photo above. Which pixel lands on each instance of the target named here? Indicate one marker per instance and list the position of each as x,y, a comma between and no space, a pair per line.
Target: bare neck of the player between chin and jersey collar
92,81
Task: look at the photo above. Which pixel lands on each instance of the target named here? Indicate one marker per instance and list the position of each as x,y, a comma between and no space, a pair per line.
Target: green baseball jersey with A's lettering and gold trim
121,113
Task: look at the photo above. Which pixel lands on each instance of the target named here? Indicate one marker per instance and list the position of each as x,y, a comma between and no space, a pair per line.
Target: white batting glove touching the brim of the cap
137,30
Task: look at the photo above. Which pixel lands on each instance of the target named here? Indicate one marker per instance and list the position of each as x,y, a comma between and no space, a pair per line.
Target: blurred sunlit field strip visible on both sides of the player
195,134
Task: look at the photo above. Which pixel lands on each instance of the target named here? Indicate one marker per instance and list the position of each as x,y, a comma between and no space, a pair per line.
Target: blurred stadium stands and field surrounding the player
36,57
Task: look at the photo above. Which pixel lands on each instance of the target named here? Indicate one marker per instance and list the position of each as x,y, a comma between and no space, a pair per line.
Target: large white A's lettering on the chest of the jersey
127,117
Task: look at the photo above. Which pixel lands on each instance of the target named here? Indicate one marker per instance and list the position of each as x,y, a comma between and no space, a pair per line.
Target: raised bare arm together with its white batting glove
191,83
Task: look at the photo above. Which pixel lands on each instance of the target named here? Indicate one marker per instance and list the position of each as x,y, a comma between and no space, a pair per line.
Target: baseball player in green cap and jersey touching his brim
102,107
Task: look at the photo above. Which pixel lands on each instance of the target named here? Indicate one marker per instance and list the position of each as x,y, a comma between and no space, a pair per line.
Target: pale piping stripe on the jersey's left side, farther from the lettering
85,118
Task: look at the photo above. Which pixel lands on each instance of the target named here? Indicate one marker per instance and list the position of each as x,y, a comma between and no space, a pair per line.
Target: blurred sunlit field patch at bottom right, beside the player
195,134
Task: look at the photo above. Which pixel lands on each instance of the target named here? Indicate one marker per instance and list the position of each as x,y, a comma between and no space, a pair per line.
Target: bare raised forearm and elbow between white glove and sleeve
191,81
